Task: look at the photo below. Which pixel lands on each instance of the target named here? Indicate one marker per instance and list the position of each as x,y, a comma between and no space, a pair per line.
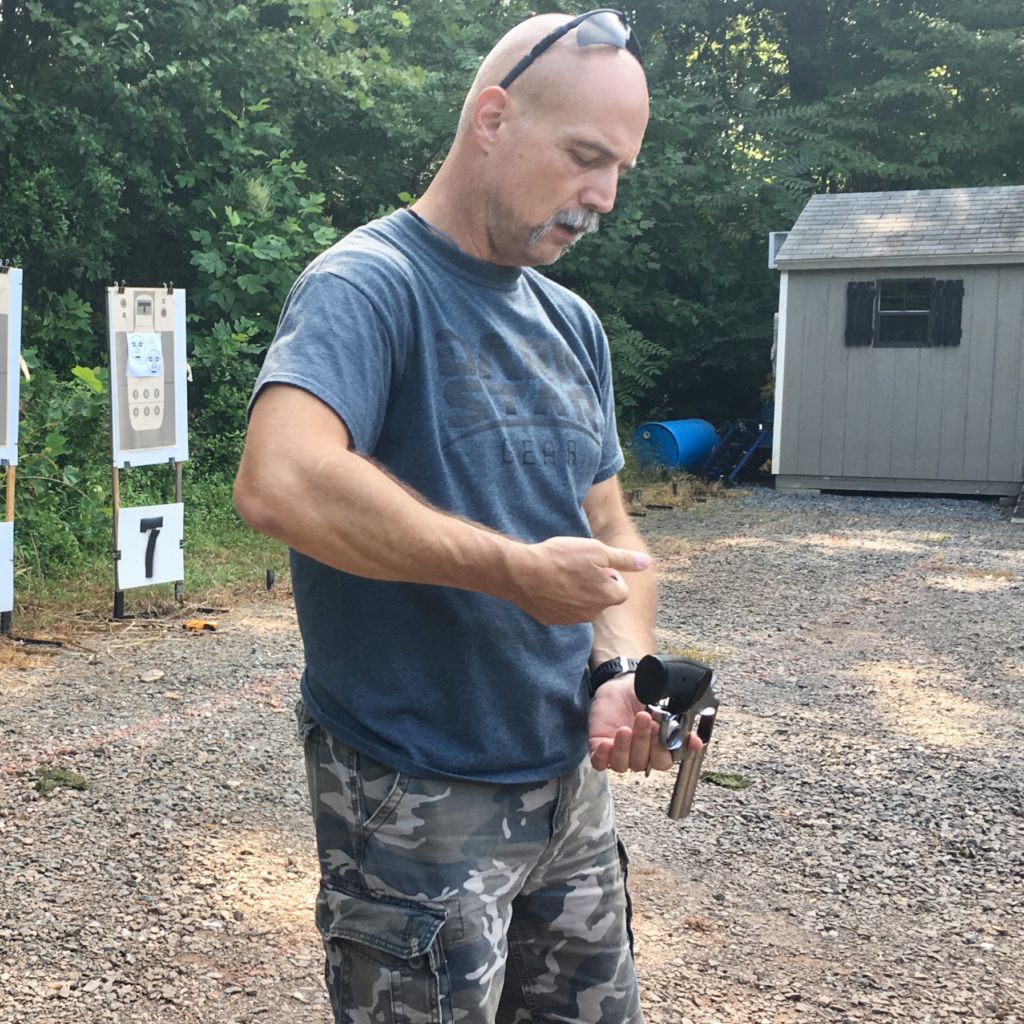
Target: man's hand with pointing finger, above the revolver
569,580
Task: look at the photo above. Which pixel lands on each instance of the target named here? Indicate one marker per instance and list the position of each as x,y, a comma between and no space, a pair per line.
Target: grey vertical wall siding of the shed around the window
905,414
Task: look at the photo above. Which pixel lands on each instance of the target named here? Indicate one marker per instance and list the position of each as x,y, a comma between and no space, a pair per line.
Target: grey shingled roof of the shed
928,227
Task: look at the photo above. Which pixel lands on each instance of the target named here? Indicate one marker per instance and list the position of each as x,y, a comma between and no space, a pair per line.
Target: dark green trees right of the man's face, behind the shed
755,107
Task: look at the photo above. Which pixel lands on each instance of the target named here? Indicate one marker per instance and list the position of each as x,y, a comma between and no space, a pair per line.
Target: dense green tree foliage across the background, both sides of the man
221,146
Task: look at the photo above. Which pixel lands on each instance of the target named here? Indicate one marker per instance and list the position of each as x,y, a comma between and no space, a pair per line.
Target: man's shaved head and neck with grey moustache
534,165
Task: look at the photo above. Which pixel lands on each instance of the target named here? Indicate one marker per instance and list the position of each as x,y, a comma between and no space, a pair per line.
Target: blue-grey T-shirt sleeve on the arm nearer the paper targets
333,343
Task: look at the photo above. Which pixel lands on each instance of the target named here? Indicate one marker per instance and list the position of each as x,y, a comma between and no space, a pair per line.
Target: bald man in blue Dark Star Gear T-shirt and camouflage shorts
434,437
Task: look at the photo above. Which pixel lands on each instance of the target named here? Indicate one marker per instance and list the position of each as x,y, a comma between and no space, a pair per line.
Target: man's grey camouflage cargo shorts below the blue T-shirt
456,903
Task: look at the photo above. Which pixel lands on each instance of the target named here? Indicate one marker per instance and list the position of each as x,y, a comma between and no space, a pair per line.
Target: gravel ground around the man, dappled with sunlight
871,672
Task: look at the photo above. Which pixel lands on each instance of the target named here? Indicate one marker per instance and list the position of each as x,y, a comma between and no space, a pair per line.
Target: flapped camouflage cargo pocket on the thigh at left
385,959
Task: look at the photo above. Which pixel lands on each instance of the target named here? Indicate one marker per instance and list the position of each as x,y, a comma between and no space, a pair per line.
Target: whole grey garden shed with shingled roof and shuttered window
901,354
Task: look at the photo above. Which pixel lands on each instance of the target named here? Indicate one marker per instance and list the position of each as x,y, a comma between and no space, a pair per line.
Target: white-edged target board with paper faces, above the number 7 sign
149,403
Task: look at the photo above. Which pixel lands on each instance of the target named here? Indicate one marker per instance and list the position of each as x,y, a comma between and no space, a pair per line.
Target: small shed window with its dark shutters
905,313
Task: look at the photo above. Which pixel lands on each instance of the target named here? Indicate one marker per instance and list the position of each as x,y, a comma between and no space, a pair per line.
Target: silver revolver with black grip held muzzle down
679,694
